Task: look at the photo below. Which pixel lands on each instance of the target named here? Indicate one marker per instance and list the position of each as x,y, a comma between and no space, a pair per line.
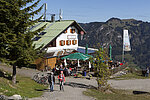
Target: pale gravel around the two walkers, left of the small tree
72,90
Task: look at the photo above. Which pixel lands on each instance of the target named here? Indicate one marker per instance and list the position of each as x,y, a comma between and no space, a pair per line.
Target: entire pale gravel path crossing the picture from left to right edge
75,86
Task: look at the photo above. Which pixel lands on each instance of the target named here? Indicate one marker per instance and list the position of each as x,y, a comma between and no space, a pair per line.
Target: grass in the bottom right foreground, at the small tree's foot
116,95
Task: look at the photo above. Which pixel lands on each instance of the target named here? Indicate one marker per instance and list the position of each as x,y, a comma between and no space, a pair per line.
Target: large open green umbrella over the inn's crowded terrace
76,56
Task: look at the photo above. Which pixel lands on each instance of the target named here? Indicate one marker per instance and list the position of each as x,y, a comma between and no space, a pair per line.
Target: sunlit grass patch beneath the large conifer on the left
25,87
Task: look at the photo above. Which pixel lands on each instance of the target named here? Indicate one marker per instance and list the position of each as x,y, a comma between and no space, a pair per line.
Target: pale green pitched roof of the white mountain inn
52,30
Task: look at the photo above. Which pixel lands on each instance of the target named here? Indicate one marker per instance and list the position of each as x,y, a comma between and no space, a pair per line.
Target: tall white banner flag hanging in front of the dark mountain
126,42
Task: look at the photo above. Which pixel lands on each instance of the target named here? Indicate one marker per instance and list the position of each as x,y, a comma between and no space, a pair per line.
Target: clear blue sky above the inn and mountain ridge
85,11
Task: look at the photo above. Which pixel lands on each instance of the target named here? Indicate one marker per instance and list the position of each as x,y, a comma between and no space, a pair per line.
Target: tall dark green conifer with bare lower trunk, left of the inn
16,45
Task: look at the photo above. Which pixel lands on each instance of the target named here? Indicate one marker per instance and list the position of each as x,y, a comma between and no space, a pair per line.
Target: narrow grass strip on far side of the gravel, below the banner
130,76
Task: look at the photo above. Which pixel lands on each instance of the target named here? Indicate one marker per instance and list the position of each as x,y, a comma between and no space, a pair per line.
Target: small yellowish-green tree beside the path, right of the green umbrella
101,69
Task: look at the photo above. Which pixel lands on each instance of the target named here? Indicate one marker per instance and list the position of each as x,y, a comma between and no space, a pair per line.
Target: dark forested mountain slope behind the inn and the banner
111,32
